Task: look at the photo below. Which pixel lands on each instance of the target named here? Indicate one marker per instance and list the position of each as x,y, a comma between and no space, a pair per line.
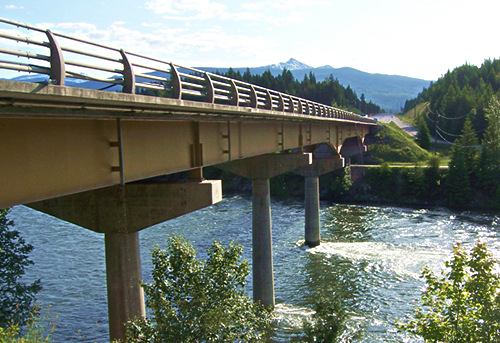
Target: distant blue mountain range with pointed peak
388,91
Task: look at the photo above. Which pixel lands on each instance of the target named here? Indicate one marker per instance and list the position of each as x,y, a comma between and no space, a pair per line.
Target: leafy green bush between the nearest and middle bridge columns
199,301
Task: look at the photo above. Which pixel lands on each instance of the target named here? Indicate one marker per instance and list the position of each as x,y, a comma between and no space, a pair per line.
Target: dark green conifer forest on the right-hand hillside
464,108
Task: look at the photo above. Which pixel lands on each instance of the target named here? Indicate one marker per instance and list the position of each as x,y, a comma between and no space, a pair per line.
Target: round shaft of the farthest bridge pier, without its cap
312,234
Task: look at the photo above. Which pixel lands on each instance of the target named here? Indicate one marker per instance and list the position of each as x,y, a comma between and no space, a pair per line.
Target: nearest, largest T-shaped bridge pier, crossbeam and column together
120,212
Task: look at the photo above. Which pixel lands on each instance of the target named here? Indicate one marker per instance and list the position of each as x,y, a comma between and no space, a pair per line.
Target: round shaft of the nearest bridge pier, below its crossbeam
123,276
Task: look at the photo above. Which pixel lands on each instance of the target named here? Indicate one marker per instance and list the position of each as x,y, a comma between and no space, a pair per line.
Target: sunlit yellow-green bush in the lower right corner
463,305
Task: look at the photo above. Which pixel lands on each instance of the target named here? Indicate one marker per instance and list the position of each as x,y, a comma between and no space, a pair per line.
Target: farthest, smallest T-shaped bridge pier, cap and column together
311,174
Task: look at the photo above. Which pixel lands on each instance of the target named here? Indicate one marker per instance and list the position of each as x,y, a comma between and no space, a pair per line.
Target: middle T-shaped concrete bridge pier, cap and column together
260,169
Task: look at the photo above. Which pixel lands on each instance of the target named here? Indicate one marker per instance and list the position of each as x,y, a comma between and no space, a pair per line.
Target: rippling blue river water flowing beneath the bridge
370,258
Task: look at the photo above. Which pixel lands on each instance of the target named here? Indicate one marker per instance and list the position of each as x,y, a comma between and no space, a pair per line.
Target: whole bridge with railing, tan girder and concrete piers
92,156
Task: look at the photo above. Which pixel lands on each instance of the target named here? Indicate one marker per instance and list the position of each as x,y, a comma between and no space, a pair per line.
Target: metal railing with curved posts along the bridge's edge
133,72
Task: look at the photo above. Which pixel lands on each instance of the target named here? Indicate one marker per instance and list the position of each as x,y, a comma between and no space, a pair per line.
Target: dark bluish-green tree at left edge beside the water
17,299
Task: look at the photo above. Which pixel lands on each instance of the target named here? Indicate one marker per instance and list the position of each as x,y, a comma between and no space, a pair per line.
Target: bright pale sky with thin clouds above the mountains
420,39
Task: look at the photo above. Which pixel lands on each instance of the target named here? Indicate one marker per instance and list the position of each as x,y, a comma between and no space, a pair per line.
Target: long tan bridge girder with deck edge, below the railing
69,141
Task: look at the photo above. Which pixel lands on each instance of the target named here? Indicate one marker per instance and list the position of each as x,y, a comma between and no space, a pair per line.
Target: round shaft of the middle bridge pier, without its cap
262,251
